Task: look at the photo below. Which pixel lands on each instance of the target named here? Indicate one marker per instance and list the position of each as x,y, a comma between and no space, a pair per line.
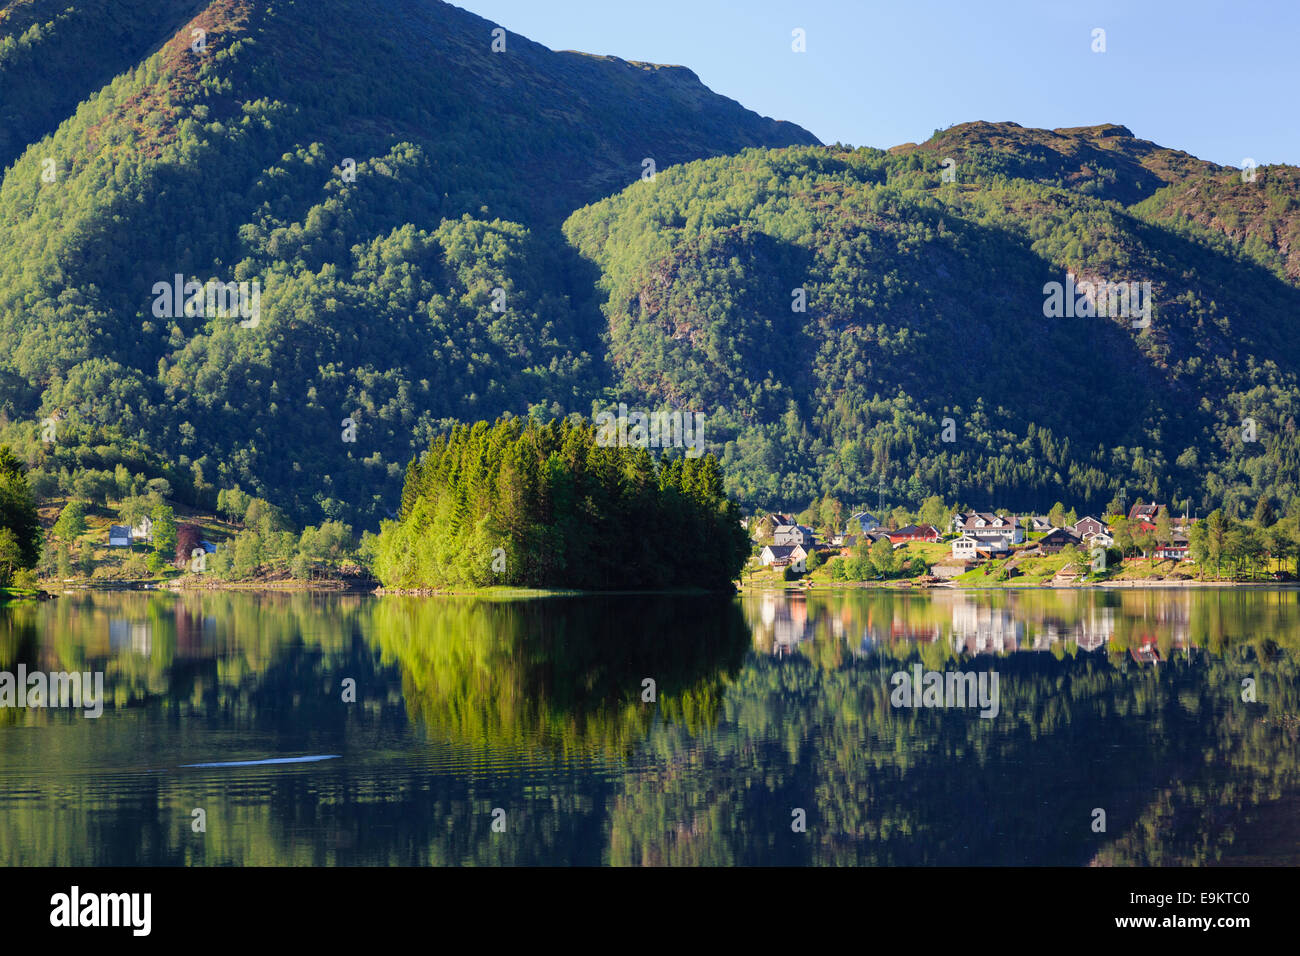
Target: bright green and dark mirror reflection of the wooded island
557,674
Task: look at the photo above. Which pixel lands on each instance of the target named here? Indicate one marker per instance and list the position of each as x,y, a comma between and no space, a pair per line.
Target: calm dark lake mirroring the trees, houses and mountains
1132,728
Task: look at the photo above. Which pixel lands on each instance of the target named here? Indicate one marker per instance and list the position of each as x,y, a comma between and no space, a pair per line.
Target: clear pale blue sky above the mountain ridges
1219,79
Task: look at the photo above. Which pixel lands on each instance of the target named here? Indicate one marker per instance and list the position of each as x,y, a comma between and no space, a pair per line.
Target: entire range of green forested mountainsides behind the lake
437,232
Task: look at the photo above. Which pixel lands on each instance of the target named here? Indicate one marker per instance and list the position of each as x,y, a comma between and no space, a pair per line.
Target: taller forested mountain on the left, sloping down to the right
388,185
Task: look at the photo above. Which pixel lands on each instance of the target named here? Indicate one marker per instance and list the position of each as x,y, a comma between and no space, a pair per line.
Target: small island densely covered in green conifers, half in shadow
547,505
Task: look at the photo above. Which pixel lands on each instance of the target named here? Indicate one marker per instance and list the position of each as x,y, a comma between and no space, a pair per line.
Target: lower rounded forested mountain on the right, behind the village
924,361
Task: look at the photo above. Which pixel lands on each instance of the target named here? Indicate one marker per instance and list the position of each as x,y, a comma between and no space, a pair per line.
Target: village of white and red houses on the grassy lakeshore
972,548
